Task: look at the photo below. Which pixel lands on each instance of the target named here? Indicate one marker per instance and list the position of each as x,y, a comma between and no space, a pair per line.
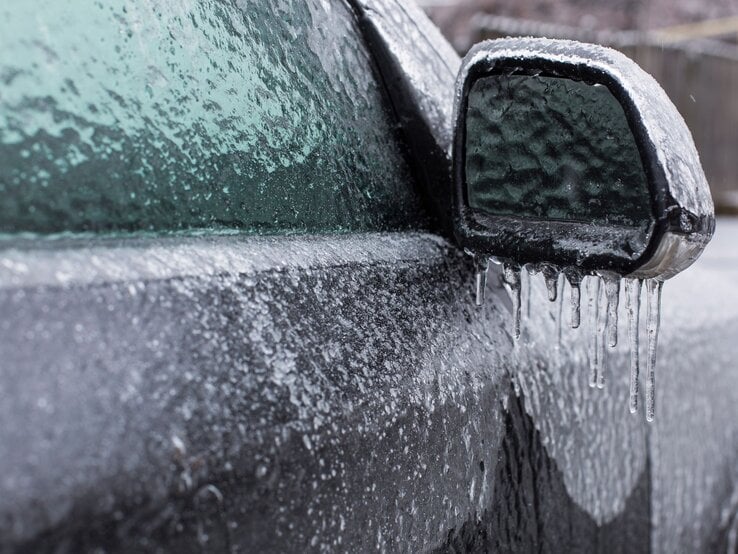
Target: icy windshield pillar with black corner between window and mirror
419,85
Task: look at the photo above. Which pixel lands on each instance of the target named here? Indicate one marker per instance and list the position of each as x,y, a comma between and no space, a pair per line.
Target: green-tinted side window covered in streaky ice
165,116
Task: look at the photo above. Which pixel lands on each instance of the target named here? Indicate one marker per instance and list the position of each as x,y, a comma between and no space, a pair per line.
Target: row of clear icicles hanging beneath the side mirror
603,321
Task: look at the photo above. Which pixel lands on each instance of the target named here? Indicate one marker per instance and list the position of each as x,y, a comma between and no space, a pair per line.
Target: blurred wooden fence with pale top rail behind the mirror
700,77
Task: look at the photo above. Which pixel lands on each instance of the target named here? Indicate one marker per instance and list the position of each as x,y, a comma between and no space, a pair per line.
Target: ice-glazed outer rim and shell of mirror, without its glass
687,206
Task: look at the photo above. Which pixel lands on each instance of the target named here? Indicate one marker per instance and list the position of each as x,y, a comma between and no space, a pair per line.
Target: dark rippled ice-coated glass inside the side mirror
550,148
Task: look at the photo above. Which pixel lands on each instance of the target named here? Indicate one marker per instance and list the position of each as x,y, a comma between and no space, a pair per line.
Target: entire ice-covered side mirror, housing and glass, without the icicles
601,174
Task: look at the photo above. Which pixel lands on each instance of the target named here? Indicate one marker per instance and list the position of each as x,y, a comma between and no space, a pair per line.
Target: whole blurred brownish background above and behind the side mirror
689,46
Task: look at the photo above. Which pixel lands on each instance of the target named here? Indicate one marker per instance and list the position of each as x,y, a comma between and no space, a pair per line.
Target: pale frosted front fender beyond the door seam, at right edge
694,444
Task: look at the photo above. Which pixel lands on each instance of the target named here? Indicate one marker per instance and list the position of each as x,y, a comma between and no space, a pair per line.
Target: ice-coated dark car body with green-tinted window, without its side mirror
238,314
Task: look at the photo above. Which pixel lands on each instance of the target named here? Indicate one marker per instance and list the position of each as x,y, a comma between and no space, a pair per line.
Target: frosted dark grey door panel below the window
336,392
